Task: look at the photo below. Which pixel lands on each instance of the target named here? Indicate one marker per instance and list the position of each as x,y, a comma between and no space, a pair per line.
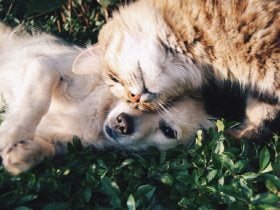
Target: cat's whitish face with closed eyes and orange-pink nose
142,72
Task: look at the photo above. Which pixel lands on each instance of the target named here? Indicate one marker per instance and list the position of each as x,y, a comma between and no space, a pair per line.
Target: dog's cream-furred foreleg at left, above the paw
31,101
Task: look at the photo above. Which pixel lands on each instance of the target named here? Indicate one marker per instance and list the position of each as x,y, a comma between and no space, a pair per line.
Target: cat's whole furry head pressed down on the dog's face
142,61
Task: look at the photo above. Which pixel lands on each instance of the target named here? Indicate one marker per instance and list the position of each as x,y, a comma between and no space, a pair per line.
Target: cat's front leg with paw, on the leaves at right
256,113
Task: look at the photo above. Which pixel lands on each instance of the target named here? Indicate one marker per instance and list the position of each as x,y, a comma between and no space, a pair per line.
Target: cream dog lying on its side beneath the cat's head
47,104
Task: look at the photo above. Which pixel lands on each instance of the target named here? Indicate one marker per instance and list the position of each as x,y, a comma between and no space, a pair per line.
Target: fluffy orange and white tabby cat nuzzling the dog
157,50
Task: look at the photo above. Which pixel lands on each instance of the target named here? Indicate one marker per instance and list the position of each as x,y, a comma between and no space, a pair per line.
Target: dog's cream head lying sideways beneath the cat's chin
136,130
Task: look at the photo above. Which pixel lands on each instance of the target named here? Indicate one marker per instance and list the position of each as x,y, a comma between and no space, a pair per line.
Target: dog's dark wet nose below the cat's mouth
124,124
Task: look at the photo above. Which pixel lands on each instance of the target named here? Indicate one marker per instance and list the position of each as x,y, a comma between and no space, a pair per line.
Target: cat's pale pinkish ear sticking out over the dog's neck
88,61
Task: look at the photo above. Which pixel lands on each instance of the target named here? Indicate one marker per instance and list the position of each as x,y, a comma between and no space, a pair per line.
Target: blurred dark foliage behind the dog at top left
77,21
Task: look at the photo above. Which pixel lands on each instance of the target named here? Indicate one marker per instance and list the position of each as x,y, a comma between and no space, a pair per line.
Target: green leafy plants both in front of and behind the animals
215,173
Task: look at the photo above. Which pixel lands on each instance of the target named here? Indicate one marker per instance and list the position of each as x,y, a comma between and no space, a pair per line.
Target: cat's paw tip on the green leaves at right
243,131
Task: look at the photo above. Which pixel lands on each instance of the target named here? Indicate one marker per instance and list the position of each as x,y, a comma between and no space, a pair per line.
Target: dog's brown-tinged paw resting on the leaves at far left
22,156
